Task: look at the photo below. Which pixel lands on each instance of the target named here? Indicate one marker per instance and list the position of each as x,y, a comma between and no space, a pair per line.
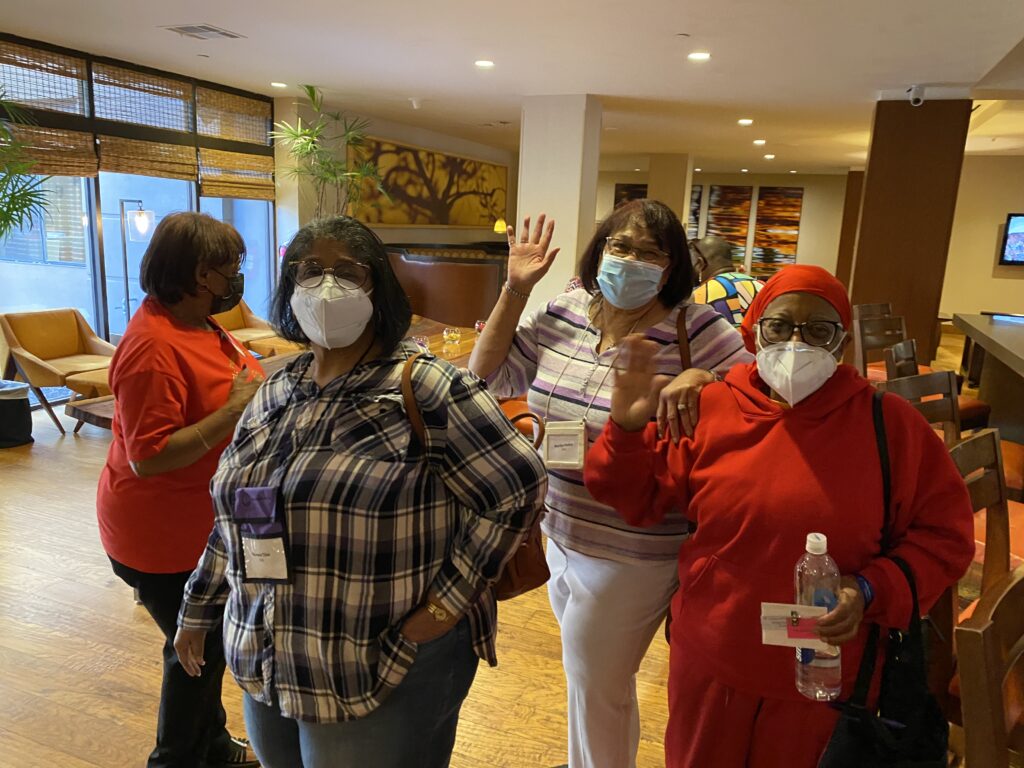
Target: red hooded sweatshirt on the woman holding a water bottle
757,478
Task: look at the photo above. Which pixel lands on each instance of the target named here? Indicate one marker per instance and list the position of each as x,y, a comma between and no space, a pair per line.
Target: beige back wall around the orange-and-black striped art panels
821,220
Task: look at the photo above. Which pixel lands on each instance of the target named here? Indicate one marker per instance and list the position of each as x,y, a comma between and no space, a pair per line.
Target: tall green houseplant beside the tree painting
328,152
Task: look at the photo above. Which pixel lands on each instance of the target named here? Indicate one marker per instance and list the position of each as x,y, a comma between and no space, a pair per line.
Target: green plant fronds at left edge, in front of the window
22,195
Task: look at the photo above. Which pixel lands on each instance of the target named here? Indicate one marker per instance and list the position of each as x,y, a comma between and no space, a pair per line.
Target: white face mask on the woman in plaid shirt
333,315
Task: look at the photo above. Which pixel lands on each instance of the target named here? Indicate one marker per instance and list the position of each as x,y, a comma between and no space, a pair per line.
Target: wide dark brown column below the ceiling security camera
907,211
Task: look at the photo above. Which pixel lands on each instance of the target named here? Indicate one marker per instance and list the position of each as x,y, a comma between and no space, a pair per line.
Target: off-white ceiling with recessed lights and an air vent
806,71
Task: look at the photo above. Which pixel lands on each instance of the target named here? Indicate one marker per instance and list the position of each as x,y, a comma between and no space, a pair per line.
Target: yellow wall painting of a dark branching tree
425,188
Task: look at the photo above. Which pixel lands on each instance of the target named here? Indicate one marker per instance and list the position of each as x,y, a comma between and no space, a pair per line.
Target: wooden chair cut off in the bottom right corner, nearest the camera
991,648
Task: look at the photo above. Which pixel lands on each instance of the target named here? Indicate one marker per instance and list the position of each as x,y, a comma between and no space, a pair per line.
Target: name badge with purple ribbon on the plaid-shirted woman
265,556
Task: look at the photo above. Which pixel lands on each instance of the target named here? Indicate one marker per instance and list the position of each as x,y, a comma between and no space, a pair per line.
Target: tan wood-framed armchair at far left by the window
49,348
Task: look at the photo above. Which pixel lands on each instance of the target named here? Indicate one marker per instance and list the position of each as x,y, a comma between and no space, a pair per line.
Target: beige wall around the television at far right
990,189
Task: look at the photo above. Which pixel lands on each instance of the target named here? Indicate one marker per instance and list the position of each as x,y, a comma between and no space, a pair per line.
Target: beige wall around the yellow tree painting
295,206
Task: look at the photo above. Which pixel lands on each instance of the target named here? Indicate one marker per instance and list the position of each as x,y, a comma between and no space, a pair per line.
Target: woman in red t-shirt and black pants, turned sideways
181,383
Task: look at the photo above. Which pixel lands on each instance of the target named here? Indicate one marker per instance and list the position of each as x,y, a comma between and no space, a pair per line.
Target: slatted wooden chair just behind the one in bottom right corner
980,463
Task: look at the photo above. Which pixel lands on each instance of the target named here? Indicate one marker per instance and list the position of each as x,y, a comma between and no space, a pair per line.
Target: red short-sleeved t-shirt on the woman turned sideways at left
164,376
